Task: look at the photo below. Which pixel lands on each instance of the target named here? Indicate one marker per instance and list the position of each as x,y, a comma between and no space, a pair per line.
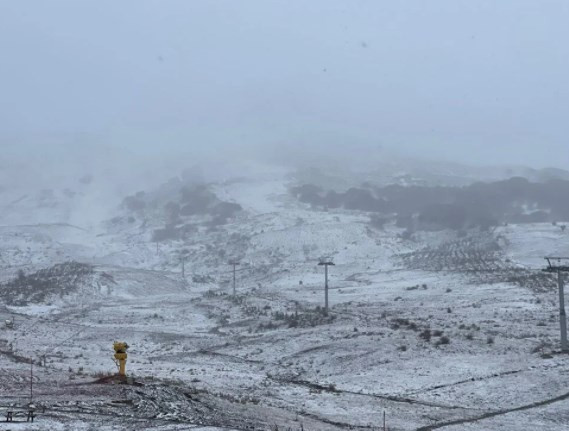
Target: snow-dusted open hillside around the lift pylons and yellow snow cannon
433,349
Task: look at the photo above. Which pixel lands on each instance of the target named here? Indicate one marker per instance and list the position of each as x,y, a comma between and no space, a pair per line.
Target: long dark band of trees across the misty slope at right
515,200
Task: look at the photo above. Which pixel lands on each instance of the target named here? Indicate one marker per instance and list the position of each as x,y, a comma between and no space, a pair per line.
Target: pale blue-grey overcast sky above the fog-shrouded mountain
471,80
